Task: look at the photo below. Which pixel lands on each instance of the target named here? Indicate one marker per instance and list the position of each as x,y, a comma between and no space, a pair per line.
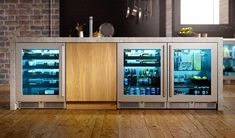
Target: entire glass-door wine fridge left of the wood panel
40,75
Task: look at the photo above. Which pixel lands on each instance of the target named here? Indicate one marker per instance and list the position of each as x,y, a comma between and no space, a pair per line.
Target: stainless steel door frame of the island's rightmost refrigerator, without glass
214,73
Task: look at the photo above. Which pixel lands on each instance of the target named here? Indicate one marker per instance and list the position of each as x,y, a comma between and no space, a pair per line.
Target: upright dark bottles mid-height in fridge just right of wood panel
144,77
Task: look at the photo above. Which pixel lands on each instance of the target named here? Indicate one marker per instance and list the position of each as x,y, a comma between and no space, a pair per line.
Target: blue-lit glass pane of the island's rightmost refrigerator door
192,72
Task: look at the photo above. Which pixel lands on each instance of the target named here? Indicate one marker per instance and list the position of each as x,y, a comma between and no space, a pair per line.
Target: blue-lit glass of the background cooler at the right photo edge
229,60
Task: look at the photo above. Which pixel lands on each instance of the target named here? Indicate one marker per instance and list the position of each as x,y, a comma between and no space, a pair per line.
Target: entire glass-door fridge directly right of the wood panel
141,75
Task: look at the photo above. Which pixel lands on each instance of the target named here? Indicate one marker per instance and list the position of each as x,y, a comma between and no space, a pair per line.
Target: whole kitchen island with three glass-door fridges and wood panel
111,73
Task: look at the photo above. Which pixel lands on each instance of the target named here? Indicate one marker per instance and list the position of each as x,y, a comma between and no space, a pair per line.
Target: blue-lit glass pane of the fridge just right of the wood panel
142,72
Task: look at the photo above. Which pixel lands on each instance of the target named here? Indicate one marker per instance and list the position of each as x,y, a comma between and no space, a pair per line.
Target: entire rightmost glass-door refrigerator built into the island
192,75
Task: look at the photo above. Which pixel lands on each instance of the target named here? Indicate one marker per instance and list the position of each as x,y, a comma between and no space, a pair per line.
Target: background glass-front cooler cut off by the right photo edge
229,60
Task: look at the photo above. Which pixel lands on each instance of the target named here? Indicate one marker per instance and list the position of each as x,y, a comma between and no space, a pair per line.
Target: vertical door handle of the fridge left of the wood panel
63,71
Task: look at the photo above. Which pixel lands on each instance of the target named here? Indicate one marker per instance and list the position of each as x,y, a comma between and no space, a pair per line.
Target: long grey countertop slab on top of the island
119,39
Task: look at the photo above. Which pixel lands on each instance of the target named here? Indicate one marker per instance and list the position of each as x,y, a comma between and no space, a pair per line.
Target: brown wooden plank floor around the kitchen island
54,123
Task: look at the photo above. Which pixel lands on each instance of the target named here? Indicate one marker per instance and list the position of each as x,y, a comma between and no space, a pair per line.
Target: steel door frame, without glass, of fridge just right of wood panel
145,98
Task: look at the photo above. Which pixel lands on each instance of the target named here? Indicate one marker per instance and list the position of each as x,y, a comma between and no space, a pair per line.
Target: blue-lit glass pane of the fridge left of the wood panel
40,71
